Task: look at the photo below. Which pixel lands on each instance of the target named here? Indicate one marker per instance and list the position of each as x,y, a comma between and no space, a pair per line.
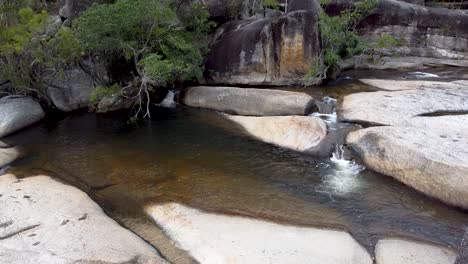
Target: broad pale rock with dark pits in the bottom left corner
44,221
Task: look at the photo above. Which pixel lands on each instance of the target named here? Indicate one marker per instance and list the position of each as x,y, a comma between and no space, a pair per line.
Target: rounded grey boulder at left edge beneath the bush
17,113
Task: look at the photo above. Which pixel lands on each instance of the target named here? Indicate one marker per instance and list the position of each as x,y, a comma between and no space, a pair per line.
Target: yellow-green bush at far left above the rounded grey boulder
33,51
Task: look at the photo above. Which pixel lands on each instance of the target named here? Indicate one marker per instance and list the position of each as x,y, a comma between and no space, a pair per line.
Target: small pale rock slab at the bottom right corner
397,251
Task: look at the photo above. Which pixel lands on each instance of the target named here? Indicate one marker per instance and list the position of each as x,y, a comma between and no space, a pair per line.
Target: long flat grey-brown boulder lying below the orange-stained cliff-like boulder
253,102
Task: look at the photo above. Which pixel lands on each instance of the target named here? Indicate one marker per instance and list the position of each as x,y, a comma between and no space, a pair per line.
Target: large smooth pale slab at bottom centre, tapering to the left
212,238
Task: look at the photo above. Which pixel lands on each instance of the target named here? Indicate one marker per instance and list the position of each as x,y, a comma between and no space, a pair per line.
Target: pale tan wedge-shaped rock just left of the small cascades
298,133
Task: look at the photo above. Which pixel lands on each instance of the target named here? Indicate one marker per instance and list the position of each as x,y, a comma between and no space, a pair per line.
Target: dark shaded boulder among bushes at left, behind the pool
72,91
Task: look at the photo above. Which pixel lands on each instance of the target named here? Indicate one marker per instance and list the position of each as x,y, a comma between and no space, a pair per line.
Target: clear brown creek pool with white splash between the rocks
196,157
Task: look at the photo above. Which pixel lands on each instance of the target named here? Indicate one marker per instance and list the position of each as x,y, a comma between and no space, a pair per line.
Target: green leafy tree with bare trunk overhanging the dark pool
163,45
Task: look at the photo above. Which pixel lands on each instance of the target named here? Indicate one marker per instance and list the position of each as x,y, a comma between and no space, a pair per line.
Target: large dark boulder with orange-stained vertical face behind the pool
268,51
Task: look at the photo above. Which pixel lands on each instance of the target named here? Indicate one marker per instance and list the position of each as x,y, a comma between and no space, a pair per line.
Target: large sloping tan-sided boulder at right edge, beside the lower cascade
434,164
